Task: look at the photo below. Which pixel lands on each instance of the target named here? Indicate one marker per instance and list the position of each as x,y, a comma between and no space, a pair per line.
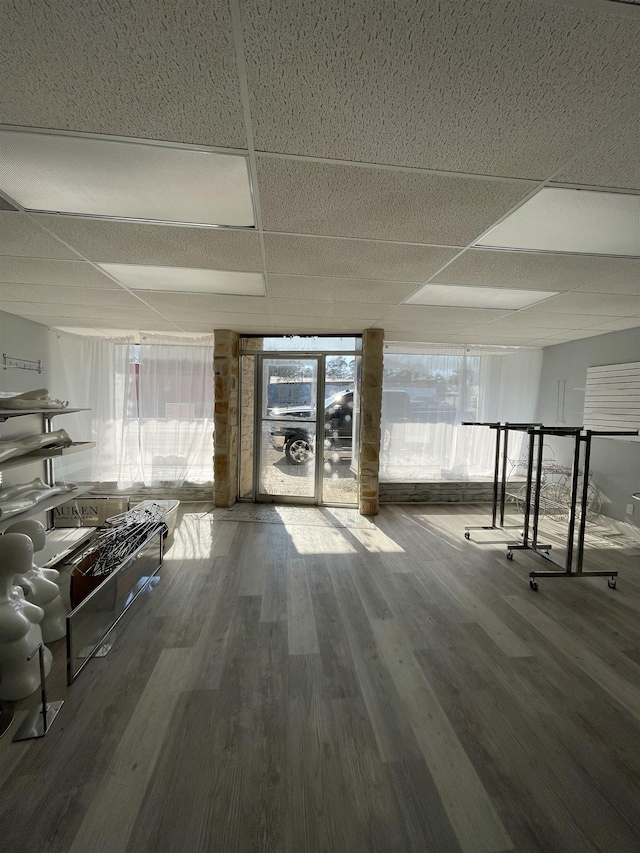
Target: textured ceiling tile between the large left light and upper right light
384,204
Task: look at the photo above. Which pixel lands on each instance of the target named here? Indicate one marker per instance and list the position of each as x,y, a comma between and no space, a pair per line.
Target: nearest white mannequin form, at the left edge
20,632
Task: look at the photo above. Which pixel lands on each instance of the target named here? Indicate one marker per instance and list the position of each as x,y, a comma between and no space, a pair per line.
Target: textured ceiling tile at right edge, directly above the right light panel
612,161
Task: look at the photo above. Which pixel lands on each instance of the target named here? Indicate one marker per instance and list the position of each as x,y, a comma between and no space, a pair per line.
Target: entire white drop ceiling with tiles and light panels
389,155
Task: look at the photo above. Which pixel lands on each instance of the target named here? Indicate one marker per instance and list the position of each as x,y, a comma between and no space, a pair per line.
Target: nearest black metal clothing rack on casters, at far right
578,502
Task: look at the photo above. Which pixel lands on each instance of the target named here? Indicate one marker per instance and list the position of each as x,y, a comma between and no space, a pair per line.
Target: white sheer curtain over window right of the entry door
424,440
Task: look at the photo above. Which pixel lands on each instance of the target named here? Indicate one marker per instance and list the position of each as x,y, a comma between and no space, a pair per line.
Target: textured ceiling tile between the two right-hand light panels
530,270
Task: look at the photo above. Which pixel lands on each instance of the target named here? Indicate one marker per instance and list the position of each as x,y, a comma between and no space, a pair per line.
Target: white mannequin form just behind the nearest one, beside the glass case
40,585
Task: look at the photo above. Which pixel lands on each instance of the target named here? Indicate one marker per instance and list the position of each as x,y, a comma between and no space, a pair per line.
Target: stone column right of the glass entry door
370,413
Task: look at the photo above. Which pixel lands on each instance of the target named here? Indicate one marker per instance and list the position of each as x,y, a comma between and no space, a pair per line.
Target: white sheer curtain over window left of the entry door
151,409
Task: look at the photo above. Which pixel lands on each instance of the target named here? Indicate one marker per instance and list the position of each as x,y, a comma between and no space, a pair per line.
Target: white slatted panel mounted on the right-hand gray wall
612,397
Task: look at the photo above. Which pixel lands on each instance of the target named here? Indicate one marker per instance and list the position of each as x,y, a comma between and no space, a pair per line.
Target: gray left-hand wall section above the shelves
20,338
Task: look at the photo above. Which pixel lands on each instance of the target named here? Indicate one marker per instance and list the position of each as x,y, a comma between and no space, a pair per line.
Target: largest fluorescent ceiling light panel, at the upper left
55,173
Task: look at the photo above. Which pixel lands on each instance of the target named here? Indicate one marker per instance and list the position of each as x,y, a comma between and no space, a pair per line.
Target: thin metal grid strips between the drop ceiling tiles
361,243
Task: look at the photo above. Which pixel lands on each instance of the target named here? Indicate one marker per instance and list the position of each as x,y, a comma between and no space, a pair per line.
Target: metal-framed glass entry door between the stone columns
288,428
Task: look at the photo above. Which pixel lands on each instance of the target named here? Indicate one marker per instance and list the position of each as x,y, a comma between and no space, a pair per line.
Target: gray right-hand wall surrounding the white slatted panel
615,463
